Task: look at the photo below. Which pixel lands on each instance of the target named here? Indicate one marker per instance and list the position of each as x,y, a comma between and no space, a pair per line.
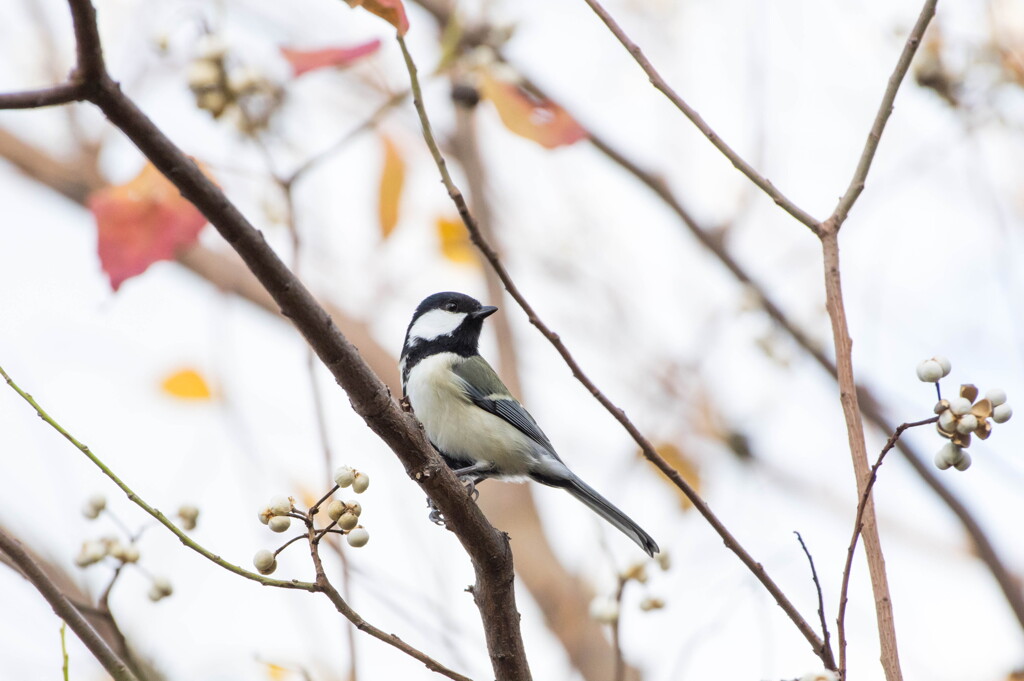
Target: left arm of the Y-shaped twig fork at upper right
735,158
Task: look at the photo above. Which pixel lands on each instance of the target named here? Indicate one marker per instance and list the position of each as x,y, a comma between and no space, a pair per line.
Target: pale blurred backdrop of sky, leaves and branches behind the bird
170,364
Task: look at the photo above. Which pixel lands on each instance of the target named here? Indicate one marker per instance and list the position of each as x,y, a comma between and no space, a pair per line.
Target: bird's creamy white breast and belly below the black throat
461,430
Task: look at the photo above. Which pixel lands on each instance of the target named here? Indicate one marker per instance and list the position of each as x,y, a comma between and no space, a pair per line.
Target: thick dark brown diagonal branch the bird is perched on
488,549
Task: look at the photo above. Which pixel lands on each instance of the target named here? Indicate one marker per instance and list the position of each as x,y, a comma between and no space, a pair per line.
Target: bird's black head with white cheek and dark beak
444,323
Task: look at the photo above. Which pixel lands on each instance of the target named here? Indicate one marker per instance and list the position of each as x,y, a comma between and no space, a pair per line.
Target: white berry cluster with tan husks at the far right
961,417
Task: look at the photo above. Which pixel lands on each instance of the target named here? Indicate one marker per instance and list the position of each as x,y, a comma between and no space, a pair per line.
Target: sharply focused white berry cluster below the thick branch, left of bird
345,517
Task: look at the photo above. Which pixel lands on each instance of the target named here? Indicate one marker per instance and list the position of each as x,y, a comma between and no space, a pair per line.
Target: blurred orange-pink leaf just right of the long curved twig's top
525,114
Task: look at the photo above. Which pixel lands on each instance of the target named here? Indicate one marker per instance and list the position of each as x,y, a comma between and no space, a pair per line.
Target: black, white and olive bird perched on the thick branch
471,417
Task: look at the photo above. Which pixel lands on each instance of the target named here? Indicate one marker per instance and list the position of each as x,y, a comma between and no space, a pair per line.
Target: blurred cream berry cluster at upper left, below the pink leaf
240,94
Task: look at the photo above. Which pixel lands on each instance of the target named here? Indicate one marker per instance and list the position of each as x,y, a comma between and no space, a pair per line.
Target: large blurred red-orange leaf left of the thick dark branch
142,223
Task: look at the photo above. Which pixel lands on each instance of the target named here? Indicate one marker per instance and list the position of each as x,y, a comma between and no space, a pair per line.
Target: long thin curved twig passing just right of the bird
649,450
